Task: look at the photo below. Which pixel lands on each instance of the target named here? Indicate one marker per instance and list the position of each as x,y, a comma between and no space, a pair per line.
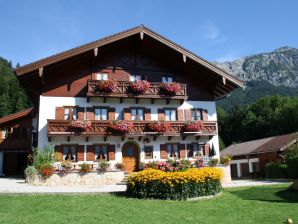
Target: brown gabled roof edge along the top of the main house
109,39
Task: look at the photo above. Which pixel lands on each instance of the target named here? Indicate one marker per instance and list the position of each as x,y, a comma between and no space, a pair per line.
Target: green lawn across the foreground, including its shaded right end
269,204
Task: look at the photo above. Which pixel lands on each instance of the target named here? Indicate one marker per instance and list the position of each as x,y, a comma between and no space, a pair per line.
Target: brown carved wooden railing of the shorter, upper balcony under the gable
122,90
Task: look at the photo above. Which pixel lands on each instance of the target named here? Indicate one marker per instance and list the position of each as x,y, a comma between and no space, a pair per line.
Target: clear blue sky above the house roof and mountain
214,29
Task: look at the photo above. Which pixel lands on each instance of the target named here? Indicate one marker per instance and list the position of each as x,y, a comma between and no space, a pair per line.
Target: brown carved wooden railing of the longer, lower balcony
63,127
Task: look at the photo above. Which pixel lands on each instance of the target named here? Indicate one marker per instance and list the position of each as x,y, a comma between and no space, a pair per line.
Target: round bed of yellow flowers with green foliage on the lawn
152,183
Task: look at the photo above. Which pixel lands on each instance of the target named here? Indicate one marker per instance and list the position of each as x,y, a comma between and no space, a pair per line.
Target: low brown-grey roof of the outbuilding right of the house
271,144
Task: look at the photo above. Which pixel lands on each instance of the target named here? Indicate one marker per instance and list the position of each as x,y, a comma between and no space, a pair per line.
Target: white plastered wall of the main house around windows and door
47,106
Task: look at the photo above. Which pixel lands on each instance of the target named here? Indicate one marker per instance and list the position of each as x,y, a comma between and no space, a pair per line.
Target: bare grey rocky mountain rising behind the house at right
279,67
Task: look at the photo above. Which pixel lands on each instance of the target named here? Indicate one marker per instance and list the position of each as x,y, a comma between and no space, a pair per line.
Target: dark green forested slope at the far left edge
12,96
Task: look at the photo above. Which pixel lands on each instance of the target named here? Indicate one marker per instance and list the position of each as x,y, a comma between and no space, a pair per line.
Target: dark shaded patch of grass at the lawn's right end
270,194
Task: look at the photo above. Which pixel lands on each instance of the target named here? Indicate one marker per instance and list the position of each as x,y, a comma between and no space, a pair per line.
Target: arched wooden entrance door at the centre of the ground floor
130,157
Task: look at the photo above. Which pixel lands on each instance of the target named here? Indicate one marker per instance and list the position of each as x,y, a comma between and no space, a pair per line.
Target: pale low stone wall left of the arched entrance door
76,179
